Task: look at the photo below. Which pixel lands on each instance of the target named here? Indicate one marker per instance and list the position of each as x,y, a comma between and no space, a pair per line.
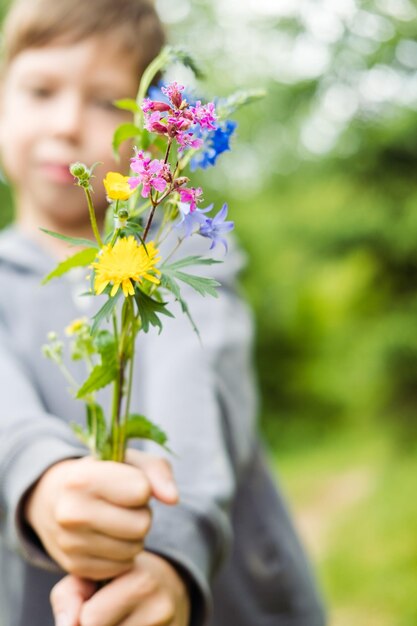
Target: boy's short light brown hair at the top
37,23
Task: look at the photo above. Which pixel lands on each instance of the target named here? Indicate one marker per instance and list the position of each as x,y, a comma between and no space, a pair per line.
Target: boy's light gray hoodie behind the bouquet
231,532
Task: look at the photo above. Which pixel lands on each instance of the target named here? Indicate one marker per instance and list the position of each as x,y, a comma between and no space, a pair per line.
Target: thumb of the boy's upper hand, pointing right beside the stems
159,473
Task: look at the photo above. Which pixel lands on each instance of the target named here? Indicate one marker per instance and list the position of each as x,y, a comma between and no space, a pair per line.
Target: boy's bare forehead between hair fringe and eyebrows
97,60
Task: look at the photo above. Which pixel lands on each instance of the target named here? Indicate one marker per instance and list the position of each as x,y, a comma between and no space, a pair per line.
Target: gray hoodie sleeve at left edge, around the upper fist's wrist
30,442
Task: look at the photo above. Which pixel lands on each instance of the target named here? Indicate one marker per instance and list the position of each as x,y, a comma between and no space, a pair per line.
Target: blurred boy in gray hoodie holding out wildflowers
66,61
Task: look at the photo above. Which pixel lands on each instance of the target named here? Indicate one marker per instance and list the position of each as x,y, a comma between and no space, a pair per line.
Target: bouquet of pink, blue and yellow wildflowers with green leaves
171,131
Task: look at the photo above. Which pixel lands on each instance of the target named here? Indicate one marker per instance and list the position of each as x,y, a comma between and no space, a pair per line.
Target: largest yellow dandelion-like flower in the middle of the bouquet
123,263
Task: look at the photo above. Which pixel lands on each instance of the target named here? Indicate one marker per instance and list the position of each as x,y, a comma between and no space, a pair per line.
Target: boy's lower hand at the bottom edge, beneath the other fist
152,593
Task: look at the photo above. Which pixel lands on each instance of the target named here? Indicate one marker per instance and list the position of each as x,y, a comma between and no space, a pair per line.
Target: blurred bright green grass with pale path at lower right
357,491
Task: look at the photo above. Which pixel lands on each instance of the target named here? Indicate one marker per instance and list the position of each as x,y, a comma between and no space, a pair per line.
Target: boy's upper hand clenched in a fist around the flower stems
92,516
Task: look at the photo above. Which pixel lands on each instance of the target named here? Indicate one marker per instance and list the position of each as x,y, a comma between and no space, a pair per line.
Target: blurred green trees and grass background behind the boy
322,186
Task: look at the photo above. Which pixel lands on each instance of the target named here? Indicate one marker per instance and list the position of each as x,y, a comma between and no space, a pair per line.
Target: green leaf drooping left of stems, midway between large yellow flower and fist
105,373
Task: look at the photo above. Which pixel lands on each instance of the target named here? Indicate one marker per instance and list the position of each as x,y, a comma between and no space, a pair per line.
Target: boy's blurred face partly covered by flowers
57,108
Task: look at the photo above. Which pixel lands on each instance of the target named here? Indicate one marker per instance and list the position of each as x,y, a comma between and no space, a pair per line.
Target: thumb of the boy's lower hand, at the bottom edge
68,597
